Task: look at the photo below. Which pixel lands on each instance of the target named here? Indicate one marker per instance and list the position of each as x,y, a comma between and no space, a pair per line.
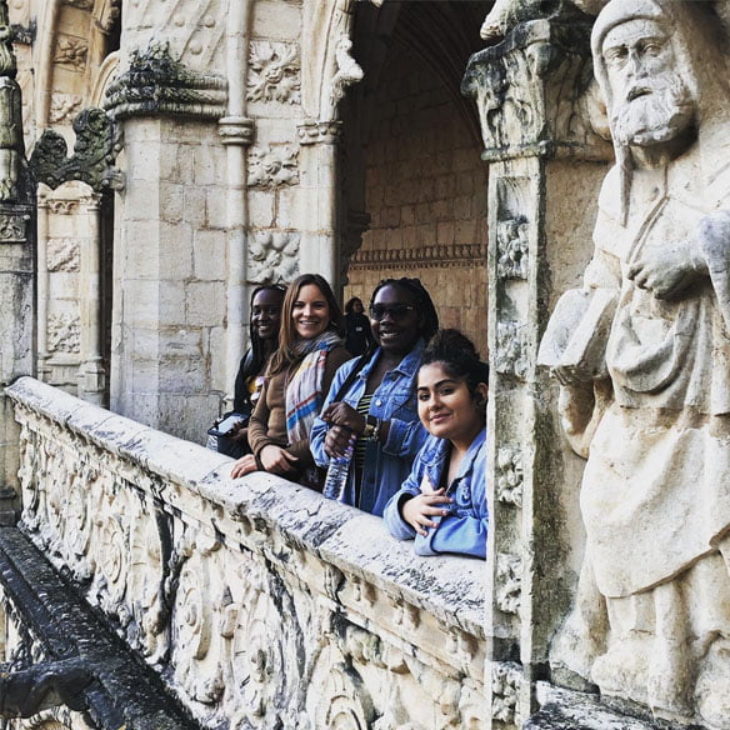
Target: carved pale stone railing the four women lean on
259,603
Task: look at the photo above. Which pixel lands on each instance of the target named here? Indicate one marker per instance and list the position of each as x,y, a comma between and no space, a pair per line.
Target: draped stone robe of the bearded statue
655,497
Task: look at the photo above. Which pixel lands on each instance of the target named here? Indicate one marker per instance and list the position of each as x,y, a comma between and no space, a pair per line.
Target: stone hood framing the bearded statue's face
700,46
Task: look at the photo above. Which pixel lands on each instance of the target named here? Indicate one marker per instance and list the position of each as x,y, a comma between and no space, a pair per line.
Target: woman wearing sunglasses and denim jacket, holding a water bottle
372,400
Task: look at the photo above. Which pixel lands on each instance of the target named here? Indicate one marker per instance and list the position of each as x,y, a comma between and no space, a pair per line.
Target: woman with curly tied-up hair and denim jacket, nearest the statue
443,503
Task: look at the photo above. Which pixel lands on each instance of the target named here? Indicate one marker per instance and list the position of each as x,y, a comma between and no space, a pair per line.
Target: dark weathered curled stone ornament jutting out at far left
97,145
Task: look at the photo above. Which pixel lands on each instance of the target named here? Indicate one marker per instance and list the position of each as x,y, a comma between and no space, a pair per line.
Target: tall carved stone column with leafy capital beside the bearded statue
546,165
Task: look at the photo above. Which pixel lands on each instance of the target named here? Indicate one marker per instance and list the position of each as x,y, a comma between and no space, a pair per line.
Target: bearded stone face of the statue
651,103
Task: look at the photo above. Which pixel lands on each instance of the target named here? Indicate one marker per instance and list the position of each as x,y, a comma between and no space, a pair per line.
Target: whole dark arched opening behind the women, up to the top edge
414,187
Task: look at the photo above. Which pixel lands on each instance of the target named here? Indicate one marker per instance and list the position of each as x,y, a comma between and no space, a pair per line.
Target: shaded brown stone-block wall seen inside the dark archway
425,188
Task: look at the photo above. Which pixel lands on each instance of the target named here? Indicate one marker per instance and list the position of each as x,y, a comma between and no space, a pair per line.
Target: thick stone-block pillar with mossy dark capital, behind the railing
170,263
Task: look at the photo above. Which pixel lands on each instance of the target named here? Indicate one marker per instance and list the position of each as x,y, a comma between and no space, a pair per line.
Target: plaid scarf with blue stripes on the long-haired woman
304,396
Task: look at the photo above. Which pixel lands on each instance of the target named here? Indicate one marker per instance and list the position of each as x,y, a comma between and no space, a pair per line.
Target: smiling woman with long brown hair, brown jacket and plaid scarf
296,382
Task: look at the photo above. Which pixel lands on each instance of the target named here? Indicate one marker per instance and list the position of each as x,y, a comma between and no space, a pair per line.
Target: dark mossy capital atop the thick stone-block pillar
158,84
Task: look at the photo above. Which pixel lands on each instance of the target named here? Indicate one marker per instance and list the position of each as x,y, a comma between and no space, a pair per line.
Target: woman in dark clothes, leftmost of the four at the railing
265,318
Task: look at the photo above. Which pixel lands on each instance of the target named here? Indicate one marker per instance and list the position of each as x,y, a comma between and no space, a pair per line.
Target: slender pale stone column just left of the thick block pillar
92,376
